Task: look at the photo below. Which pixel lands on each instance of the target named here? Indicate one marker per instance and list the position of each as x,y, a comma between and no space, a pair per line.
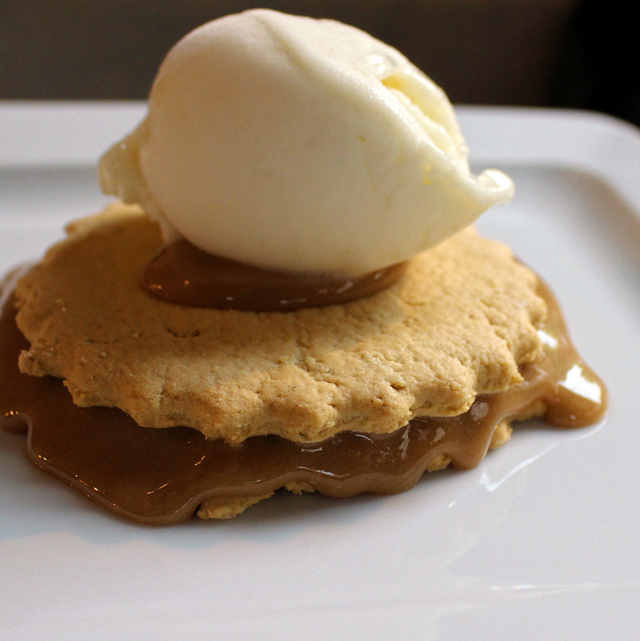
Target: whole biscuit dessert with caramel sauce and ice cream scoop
325,334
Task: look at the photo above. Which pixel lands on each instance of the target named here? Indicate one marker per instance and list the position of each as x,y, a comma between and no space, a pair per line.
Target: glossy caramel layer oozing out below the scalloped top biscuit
162,476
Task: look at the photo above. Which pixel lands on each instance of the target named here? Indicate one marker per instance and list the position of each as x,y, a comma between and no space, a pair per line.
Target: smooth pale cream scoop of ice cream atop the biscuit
298,144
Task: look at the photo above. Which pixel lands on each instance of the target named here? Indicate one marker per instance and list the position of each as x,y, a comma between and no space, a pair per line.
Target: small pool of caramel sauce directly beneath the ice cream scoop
184,275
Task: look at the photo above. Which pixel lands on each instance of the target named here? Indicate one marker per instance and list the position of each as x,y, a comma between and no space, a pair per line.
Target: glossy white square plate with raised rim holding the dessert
539,542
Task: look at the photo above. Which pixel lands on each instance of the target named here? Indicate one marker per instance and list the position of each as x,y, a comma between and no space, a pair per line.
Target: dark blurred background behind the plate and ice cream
558,53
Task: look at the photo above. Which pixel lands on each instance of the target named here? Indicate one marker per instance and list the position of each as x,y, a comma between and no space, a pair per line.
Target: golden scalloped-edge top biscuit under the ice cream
457,325
